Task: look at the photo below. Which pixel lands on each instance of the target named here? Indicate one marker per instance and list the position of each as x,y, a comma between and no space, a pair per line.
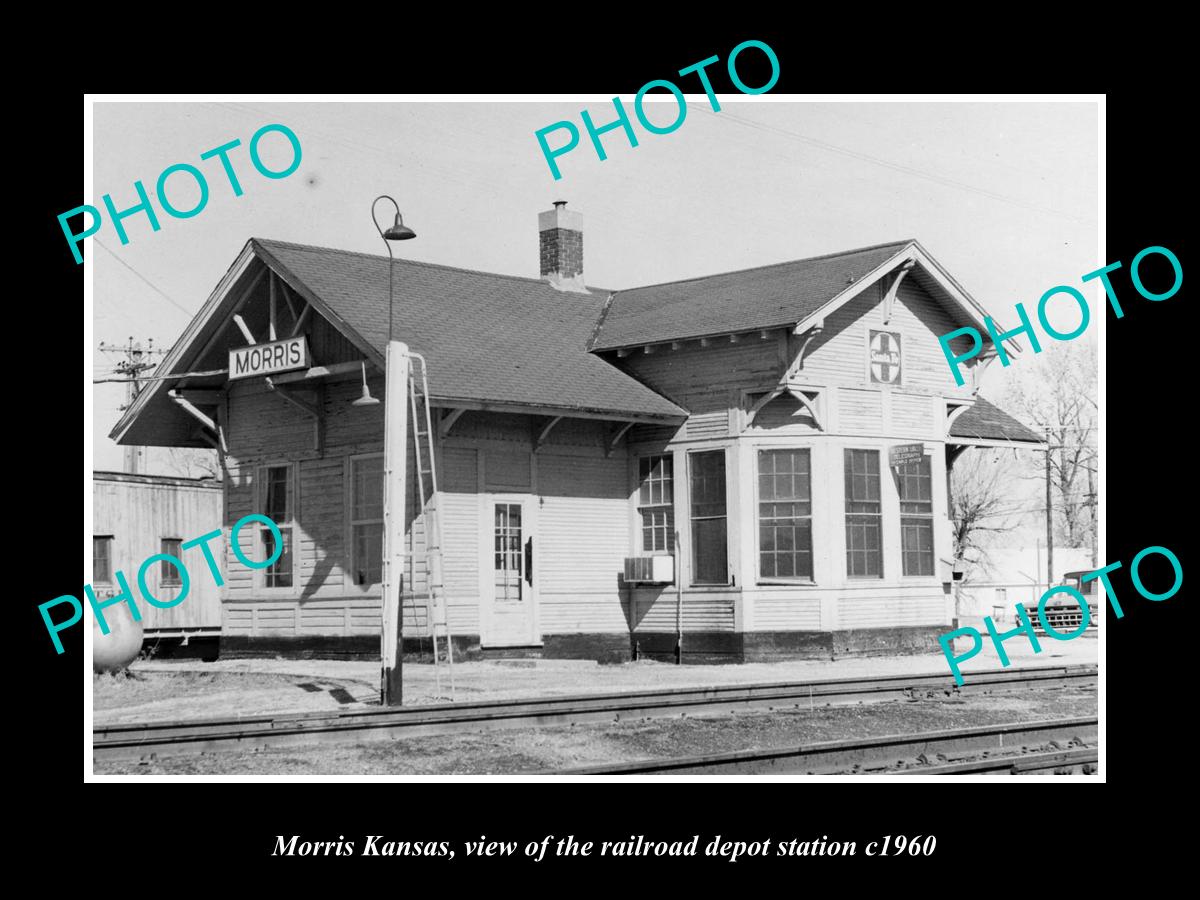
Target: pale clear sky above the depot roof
1004,195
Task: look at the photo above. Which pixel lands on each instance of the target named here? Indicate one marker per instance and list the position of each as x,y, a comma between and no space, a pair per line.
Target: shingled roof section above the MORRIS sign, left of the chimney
490,340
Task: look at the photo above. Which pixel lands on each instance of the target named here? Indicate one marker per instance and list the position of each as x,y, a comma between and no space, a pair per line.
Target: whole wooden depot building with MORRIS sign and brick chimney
794,424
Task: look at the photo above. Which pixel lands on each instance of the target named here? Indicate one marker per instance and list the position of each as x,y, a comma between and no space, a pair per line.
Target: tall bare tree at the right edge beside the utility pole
1060,399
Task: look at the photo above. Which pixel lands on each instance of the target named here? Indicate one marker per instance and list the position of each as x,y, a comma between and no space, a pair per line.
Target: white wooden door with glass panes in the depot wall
508,569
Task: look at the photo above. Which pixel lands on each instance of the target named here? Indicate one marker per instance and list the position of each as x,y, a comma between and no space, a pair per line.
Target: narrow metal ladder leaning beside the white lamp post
428,476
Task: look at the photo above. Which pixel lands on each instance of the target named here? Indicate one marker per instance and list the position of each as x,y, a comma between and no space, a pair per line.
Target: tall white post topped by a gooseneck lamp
394,443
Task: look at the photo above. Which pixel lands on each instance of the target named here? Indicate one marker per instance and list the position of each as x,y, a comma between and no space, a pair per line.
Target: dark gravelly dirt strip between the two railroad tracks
514,752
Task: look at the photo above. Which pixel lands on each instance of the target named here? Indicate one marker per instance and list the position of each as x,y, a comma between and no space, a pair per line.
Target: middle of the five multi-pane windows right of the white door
785,514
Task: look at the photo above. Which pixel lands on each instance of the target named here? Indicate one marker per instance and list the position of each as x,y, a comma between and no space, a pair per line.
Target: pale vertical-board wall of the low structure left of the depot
139,512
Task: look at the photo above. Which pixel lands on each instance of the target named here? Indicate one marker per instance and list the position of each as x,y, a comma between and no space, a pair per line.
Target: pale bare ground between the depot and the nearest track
166,691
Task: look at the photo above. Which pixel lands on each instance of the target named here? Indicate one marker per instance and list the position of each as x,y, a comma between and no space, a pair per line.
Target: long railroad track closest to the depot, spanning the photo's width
149,741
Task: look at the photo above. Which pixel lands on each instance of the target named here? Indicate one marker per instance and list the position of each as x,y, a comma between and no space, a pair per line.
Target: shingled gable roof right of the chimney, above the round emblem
779,296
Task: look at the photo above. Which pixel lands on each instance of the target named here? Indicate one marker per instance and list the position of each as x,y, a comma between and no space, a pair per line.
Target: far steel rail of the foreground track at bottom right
857,757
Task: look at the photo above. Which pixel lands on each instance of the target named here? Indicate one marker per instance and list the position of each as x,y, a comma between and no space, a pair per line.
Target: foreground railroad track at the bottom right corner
1043,746
